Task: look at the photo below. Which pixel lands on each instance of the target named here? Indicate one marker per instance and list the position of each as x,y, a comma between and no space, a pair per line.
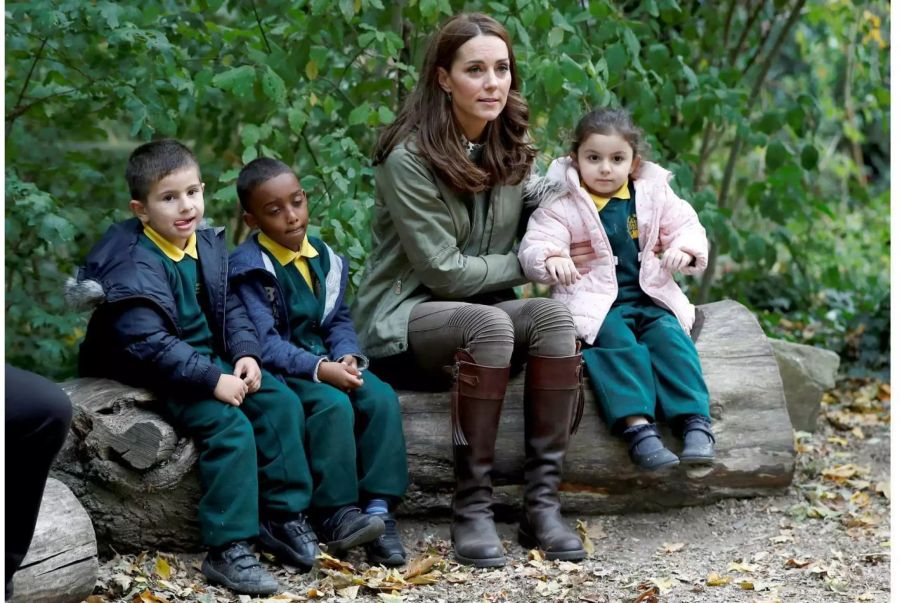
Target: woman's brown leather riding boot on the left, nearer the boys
477,398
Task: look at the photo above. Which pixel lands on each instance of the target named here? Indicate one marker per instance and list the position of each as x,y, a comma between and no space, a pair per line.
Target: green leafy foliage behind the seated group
773,120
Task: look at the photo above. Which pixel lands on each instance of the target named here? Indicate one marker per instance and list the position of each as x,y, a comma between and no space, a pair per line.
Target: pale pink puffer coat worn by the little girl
664,221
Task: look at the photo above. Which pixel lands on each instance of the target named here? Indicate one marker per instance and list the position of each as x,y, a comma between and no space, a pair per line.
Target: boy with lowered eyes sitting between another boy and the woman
293,287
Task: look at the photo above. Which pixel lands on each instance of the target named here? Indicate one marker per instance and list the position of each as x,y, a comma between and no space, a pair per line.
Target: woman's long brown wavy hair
508,153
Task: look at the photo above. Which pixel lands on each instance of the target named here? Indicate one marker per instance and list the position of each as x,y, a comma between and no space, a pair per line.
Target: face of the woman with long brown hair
478,83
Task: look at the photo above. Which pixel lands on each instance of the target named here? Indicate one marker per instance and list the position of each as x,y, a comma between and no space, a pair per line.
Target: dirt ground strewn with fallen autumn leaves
826,539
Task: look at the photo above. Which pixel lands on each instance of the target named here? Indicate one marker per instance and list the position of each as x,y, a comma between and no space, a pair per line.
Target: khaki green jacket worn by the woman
419,228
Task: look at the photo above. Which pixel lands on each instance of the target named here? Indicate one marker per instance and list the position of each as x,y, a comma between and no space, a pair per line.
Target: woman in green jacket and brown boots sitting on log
437,291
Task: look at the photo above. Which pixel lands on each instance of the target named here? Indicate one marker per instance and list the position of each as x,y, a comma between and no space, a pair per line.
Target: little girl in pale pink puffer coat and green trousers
632,315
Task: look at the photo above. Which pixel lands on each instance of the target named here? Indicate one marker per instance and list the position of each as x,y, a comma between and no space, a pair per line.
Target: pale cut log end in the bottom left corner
61,565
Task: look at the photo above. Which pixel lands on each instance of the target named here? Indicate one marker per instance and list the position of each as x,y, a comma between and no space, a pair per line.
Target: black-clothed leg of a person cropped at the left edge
38,414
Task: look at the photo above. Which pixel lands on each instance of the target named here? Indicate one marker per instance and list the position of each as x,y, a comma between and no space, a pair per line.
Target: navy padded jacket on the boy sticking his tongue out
134,336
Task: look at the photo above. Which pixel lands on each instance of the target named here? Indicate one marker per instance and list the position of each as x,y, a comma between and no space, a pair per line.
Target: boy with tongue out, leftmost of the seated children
165,321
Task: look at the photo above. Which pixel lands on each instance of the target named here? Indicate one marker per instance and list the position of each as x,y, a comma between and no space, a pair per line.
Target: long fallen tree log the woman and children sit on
139,482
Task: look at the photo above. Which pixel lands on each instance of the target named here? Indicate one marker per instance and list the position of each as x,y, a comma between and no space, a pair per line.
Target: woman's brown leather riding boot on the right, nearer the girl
554,402
